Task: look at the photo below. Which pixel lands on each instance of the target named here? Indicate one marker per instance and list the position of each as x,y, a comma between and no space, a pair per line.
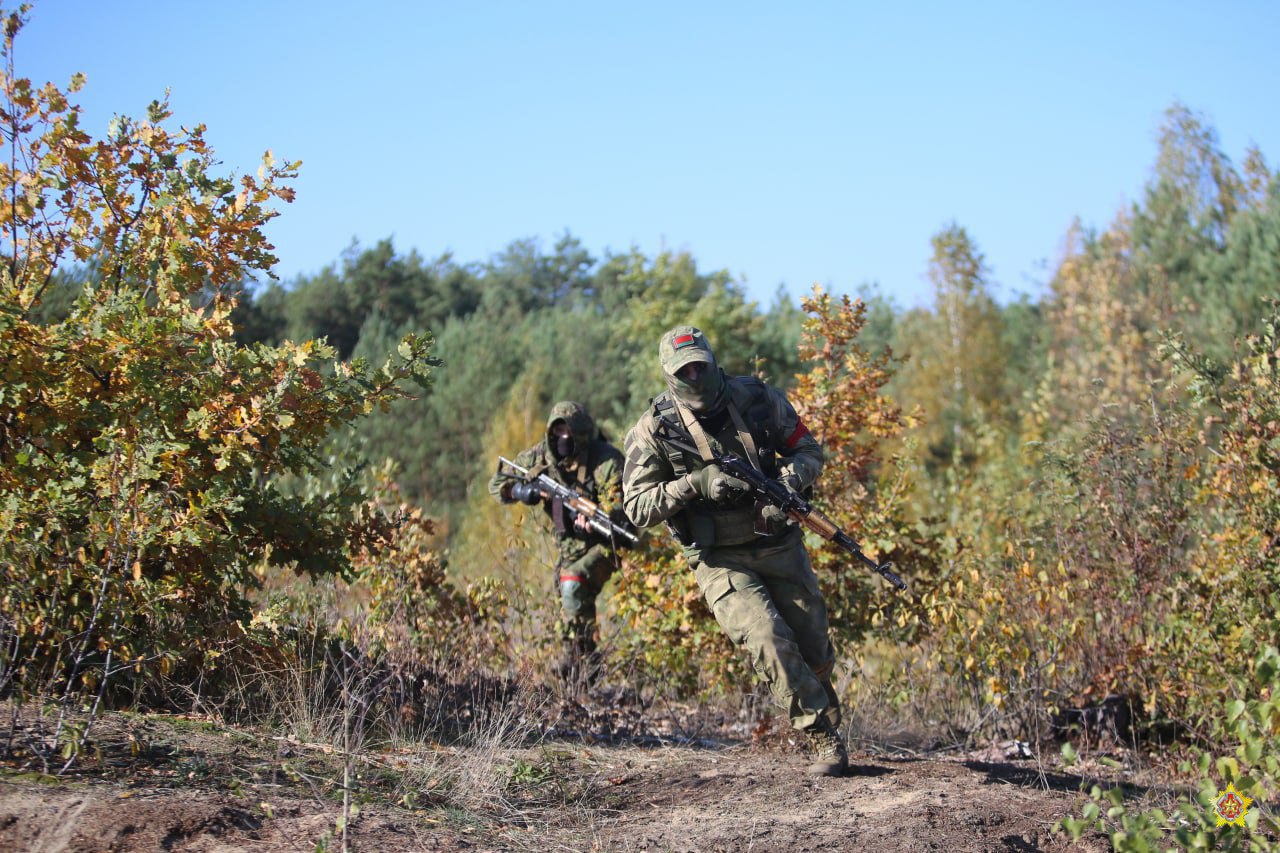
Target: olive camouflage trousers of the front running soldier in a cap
766,599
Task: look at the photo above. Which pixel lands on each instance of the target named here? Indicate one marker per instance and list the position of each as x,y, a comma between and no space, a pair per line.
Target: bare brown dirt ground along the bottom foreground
666,799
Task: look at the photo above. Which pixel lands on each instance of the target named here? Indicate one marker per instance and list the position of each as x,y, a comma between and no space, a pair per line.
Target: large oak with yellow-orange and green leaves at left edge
143,451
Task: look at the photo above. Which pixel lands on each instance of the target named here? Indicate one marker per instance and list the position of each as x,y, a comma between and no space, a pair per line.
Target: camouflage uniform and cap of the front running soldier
752,568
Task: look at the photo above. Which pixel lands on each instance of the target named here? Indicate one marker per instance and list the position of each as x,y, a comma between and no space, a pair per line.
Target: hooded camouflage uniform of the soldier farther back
587,559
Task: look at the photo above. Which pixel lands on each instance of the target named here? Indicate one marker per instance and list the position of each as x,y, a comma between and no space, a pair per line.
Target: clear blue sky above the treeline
789,144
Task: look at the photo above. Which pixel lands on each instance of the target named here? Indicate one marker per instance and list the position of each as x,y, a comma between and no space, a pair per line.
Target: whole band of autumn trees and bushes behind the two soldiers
1082,487
